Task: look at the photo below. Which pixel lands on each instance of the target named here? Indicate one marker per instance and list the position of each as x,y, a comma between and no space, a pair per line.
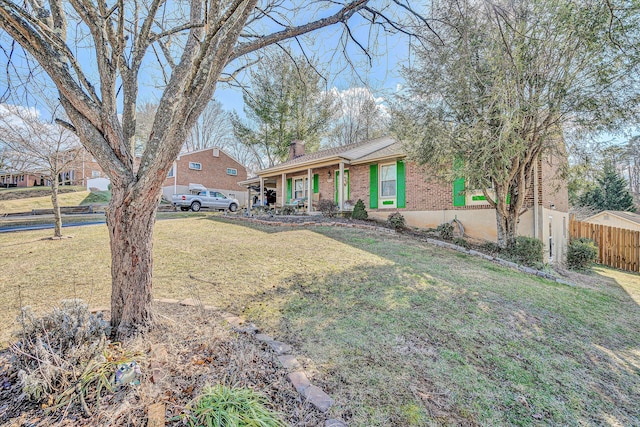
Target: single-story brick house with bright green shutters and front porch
377,172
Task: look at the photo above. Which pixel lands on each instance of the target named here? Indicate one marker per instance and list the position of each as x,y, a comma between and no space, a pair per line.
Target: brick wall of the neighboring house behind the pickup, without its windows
213,173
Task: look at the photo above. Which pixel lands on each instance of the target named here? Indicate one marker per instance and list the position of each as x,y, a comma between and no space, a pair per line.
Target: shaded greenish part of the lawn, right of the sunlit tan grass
440,336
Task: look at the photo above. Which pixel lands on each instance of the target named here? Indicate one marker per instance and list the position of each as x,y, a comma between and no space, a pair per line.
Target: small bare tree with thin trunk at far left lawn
34,145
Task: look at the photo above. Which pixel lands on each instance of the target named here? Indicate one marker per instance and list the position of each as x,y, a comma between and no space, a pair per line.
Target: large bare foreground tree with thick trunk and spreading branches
195,41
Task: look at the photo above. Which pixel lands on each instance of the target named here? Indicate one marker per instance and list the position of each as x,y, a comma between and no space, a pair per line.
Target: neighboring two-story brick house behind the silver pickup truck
210,168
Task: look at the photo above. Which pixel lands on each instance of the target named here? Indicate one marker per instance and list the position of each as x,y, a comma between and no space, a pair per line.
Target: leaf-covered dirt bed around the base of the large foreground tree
190,349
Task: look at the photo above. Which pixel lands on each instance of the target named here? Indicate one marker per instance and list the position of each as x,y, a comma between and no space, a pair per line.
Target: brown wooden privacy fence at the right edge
617,247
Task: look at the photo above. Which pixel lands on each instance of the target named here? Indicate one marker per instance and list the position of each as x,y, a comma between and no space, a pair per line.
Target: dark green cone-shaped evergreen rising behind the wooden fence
610,193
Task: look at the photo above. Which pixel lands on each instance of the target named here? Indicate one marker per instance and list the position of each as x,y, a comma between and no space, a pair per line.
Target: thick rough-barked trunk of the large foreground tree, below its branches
130,218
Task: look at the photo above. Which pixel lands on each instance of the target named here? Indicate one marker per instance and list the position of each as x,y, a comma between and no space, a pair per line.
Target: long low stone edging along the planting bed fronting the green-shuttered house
440,243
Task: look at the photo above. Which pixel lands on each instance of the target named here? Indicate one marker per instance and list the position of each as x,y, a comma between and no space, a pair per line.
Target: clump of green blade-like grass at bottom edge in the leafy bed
222,406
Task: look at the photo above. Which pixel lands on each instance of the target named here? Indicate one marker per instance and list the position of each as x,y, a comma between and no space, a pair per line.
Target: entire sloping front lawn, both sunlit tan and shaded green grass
400,332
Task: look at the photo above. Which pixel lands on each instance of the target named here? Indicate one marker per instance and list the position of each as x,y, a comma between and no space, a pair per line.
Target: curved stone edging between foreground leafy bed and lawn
297,376
